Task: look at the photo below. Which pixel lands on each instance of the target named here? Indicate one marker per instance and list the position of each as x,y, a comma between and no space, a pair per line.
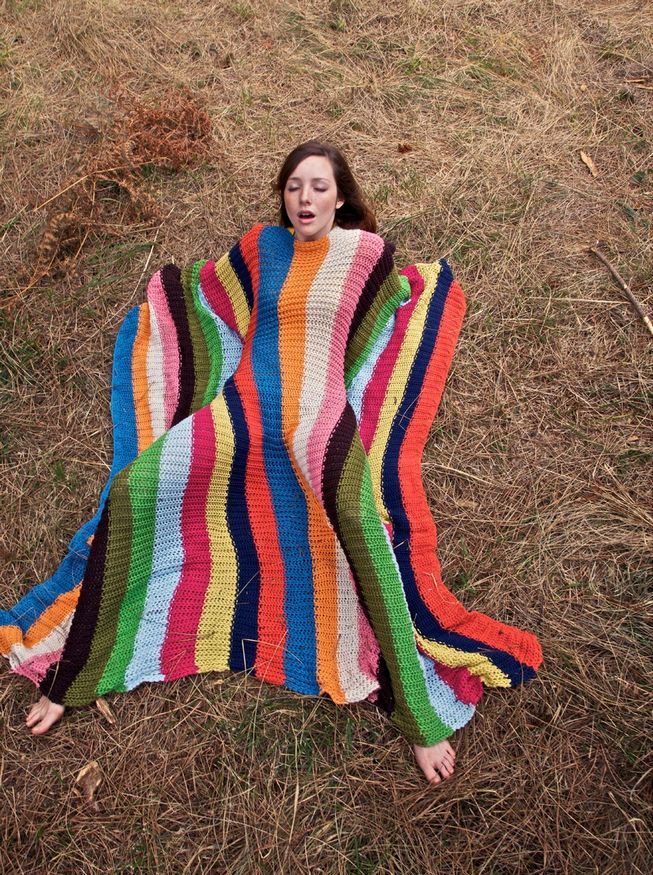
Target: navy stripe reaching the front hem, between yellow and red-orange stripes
244,633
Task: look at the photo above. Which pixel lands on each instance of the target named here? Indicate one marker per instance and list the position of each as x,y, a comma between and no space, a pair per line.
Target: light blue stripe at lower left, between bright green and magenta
168,556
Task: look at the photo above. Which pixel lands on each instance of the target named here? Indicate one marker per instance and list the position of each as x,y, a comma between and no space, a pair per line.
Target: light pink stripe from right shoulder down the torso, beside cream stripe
331,409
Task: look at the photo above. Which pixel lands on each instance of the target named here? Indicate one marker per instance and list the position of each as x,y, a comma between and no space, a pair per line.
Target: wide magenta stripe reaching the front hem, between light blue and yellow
178,651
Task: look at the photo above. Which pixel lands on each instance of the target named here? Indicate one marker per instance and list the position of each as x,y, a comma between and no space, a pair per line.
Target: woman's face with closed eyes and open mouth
311,198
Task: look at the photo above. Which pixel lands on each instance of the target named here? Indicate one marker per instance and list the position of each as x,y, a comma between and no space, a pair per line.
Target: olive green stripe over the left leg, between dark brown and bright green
114,584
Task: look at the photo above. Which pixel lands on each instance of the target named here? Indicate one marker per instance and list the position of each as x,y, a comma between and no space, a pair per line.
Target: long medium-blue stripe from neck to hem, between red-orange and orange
291,516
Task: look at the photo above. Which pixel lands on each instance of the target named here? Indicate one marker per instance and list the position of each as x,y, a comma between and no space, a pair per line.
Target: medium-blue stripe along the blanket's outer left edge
125,448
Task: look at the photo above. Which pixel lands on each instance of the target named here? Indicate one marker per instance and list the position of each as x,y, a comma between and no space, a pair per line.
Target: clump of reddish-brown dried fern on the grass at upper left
108,190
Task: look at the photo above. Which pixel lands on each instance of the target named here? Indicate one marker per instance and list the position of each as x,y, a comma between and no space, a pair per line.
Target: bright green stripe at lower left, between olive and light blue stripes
143,489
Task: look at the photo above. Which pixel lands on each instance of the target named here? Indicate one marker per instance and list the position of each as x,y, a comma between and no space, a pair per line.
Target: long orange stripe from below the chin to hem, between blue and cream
292,342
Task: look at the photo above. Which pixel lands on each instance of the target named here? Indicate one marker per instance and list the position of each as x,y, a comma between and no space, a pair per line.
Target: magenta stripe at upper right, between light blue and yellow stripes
376,388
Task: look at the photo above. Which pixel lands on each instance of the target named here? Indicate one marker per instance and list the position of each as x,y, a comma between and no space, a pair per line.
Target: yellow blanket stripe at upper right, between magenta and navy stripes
398,380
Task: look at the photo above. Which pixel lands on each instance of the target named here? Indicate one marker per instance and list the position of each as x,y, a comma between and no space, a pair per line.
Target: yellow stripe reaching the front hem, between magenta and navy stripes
214,632
